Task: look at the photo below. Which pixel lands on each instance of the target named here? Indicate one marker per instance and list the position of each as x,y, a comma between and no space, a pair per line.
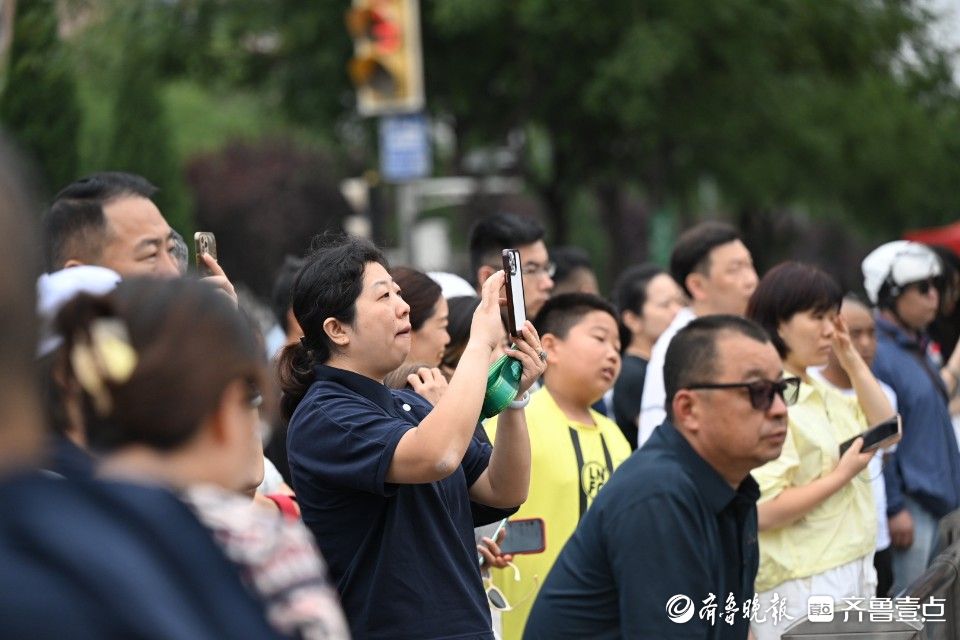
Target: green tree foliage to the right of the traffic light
774,102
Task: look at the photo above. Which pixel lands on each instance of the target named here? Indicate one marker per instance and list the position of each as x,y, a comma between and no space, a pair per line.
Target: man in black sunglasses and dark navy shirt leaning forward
669,547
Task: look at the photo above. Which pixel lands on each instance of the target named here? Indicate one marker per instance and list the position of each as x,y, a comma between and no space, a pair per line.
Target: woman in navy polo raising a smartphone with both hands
384,479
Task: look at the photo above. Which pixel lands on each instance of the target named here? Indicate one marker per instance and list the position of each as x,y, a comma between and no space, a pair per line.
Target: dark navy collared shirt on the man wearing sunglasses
666,524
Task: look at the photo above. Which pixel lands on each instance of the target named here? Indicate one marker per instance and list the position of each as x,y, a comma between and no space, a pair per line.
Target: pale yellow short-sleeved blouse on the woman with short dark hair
840,529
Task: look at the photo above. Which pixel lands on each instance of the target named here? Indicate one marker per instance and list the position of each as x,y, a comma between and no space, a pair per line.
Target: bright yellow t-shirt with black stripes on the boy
569,464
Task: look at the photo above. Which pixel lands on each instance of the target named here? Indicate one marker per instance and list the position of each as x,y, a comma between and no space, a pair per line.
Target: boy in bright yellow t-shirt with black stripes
574,449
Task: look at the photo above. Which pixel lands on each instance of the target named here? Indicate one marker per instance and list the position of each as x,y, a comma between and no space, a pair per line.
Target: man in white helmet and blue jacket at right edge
923,476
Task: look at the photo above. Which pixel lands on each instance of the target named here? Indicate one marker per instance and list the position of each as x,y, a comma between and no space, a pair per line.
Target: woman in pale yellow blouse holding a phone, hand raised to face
816,514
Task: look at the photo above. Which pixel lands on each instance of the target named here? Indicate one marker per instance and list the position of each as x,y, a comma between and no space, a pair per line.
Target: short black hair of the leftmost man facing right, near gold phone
75,225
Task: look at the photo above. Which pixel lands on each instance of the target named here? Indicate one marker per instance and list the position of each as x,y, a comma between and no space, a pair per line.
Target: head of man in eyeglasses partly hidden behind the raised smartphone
492,234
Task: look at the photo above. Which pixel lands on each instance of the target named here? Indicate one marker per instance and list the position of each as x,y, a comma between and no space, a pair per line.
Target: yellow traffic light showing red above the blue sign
387,67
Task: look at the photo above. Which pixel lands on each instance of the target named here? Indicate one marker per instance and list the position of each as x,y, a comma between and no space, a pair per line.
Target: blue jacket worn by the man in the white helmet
926,463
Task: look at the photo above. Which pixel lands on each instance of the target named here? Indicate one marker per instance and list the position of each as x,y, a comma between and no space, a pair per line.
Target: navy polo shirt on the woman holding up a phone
403,556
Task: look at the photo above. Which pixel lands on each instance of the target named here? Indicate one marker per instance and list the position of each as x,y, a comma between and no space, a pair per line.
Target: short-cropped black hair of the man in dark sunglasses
692,354
